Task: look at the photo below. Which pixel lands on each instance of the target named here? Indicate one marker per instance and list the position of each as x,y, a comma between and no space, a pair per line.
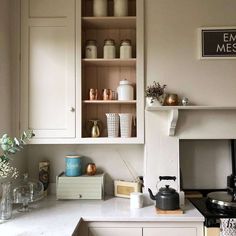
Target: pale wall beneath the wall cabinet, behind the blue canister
108,158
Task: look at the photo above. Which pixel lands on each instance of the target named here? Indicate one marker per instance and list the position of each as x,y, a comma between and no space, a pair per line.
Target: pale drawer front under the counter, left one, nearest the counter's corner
115,231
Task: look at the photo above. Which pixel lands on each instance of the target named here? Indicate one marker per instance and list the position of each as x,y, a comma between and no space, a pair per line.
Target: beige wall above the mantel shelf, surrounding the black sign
171,49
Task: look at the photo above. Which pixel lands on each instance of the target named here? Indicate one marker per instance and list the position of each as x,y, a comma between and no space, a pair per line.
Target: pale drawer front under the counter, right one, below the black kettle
169,232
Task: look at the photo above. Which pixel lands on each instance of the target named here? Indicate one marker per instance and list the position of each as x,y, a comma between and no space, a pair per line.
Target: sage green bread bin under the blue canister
80,187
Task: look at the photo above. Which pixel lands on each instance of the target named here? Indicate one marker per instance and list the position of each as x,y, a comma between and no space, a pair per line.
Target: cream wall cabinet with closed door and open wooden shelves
56,76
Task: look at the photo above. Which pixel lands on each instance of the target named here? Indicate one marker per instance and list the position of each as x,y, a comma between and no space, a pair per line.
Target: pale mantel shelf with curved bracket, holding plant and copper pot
174,113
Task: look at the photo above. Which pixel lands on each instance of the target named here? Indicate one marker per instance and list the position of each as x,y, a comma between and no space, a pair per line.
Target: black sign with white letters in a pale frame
218,42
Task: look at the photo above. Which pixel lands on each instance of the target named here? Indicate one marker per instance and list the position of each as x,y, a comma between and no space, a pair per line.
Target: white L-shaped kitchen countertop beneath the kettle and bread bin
52,217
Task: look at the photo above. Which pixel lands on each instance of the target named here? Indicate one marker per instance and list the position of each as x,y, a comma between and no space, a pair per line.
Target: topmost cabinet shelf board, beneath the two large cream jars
109,22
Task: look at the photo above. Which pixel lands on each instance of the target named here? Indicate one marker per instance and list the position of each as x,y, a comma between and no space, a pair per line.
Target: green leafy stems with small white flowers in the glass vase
11,146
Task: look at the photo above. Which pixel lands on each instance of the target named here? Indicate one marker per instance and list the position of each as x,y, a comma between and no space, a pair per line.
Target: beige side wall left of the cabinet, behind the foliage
9,73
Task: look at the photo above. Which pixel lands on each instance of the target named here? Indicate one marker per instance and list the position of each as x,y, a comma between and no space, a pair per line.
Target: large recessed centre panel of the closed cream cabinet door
47,78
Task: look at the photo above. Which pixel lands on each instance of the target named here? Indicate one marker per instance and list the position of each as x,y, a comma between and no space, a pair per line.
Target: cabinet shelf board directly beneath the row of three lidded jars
109,62
